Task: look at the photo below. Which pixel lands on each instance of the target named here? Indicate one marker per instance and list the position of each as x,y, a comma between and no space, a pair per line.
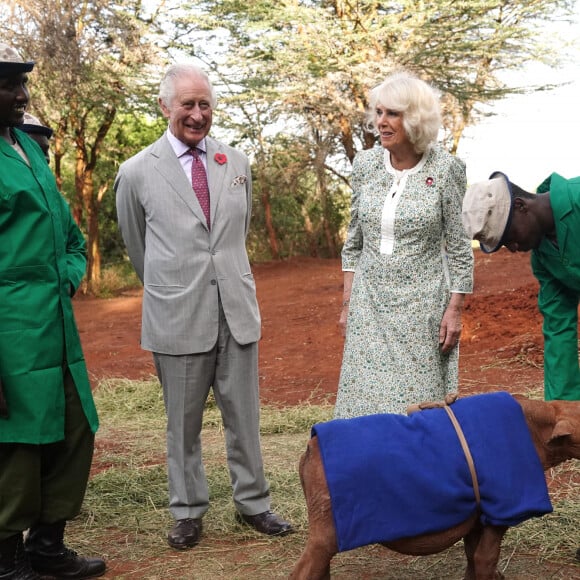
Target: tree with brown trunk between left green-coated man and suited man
90,58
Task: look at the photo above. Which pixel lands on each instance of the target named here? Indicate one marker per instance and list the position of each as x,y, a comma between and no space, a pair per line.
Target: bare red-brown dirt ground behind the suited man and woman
301,346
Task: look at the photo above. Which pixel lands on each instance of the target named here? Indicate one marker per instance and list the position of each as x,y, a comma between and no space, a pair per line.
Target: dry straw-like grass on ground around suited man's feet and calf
125,516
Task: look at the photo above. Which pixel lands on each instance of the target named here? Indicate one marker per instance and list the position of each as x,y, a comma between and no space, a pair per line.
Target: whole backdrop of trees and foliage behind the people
292,77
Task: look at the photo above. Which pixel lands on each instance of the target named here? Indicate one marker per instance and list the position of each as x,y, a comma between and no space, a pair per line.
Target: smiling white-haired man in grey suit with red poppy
200,314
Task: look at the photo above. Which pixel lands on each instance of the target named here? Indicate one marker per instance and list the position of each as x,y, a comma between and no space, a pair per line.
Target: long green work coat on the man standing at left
42,262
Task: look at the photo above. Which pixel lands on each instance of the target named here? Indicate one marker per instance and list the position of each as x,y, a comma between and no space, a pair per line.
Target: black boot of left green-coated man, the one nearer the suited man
67,564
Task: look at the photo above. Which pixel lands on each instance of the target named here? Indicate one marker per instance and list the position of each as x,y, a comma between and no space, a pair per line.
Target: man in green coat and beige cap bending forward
499,213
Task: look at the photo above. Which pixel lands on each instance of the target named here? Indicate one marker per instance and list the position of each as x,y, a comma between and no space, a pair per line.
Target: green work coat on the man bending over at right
558,272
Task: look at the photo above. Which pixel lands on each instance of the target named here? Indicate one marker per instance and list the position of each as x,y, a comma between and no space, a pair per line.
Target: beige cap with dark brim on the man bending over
487,211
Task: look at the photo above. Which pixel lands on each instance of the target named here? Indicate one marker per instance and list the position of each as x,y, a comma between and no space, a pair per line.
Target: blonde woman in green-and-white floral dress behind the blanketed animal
407,260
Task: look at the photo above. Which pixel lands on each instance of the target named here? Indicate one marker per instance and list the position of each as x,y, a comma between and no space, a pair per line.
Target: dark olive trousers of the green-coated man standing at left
46,483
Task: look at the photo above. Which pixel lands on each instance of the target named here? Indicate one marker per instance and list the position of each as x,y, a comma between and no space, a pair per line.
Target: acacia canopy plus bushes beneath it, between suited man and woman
298,73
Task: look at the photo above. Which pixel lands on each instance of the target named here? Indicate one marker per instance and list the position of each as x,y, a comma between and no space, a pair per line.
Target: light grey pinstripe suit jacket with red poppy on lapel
184,266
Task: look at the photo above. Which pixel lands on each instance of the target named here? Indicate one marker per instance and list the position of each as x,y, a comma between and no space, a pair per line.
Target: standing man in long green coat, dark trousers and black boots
47,414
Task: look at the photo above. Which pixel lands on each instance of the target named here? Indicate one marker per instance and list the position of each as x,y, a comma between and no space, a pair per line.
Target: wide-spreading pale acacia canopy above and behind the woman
318,58
